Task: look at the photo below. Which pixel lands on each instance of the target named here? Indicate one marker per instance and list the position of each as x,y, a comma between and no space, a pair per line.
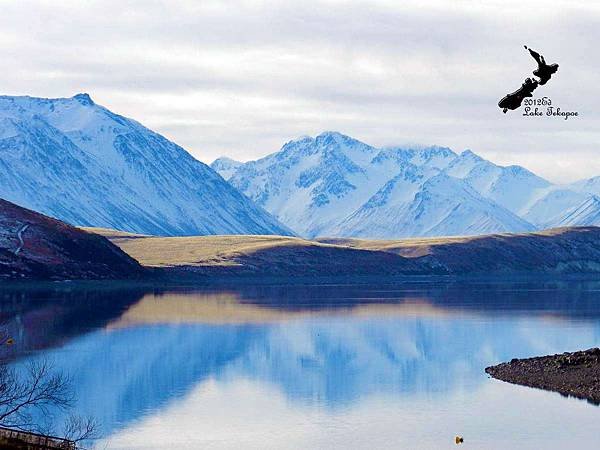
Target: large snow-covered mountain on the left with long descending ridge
79,162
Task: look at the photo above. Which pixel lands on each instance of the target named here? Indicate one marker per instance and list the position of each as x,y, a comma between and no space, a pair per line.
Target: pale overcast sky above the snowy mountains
241,78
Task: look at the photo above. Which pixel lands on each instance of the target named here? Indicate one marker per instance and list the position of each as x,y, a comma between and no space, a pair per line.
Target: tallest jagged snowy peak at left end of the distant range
312,183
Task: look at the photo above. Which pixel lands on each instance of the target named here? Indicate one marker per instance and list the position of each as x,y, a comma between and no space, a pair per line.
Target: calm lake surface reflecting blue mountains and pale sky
368,367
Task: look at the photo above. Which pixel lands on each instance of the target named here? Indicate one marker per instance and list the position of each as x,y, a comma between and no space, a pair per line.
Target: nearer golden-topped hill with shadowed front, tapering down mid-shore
256,255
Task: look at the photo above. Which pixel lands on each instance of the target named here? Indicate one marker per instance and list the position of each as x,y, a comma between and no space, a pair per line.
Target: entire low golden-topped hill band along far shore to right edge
563,250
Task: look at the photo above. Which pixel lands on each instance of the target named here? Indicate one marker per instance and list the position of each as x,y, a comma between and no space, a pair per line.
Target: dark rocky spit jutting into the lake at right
574,374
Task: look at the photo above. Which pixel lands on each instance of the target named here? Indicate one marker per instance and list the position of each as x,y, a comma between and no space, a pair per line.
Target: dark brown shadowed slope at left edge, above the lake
39,247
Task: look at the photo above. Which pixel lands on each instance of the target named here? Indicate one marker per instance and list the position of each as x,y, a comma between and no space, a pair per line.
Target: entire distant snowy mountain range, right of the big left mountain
335,185
